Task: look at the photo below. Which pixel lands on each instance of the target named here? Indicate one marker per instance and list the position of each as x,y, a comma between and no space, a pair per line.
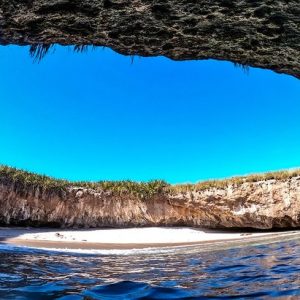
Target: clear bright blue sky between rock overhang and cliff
95,116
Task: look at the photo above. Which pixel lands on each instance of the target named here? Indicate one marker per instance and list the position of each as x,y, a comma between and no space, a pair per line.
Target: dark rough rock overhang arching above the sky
260,33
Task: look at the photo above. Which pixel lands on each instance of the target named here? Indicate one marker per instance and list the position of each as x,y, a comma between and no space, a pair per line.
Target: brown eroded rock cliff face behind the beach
265,204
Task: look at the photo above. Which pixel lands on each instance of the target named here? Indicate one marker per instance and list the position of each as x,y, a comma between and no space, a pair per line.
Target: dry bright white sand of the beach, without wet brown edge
153,235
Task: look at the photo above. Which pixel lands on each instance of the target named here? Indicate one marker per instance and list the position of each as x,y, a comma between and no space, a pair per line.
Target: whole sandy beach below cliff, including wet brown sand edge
130,238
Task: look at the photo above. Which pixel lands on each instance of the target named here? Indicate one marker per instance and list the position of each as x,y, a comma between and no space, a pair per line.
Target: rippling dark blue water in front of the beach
255,272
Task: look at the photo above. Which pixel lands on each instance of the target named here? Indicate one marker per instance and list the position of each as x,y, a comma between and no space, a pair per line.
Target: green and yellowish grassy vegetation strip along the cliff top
141,189
